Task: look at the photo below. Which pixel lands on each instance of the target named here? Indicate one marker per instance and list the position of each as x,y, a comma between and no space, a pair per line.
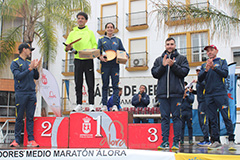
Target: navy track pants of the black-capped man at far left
25,102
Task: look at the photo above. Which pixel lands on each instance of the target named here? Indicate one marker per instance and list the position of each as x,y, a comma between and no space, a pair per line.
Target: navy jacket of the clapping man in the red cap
214,78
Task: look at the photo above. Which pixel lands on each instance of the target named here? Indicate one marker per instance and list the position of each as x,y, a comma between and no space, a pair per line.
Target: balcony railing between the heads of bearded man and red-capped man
198,54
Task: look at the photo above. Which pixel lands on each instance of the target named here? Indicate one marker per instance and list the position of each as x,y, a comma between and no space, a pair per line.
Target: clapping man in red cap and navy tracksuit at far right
216,96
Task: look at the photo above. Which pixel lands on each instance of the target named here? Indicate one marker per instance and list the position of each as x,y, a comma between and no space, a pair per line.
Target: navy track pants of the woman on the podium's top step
108,71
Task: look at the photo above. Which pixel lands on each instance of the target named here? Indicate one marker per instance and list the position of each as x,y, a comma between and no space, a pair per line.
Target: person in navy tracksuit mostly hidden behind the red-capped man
202,116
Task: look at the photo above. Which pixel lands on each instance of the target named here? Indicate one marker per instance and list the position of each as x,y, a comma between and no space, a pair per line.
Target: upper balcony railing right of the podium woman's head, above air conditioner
137,18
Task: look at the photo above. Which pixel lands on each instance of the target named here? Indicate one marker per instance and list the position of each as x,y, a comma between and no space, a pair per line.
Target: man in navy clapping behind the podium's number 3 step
140,100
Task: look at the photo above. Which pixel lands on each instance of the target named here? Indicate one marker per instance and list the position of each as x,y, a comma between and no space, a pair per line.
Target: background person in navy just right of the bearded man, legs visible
186,113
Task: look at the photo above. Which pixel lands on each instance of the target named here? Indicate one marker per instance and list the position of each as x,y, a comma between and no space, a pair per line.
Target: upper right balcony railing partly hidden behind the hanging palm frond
175,15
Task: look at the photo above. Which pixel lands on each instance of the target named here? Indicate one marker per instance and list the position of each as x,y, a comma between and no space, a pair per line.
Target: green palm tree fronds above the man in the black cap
40,18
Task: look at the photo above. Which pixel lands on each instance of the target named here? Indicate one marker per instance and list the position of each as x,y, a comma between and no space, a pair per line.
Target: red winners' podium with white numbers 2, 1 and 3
97,130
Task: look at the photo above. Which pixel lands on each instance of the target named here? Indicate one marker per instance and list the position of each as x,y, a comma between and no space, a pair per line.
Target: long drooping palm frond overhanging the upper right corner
220,21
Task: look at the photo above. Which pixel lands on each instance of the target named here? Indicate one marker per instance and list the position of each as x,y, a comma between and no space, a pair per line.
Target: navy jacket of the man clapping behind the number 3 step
143,102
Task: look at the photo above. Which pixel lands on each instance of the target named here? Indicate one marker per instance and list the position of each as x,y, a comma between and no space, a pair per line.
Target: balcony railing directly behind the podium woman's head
102,21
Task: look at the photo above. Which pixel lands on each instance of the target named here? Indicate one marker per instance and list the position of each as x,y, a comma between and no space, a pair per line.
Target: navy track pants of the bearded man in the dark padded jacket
167,106
